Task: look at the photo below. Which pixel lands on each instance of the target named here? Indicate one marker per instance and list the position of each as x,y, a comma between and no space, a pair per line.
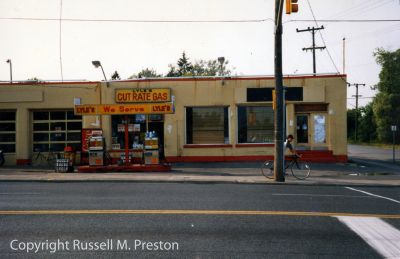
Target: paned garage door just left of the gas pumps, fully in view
54,130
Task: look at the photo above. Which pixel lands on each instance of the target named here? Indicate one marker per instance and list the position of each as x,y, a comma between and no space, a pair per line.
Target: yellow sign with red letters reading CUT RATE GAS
143,95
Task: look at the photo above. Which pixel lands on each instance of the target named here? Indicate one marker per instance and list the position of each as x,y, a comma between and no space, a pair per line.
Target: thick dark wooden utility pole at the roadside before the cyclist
278,112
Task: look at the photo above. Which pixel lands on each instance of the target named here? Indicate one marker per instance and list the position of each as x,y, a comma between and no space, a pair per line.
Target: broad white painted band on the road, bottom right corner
381,236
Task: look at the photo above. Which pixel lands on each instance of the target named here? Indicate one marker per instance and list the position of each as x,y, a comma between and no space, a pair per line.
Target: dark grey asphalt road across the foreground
193,220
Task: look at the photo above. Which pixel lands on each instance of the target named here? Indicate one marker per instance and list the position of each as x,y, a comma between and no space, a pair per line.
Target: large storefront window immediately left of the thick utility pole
255,124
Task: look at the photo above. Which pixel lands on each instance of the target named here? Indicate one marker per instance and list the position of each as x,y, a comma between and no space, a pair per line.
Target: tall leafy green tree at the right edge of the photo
386,106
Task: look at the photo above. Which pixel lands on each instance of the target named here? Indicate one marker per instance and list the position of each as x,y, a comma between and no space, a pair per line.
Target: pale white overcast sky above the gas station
120,35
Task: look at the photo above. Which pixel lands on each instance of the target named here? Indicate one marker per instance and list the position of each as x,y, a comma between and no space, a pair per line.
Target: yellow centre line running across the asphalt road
197,212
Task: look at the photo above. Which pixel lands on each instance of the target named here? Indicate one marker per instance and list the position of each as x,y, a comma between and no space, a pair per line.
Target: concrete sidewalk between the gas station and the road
246,173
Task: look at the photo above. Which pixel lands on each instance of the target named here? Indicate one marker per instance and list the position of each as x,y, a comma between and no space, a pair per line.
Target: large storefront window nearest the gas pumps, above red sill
207,125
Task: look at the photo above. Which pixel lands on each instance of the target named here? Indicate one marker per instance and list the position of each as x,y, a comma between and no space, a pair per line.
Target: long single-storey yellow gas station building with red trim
196,119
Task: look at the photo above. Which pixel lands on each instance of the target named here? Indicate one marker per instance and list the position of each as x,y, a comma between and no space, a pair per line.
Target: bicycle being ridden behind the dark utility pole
300,169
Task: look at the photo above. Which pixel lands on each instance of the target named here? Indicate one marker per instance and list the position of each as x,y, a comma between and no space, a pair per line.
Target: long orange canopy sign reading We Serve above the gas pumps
115,109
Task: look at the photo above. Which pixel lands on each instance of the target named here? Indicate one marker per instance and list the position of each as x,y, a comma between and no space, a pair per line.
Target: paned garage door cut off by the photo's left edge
7,131
